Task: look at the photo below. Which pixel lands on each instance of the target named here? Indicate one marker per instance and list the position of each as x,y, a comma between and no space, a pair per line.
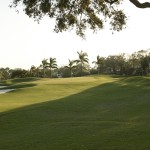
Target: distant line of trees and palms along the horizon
138,63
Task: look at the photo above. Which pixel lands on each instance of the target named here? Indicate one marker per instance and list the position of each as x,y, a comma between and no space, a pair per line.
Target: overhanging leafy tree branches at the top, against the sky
78,14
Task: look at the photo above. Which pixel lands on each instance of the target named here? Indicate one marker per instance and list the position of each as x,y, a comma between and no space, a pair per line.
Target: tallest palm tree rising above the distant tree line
83,59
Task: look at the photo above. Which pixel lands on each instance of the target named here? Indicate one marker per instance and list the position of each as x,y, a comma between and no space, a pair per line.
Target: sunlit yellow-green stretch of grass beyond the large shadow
39,90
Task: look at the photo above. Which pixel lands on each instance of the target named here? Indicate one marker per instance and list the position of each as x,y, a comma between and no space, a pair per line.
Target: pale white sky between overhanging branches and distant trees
24,43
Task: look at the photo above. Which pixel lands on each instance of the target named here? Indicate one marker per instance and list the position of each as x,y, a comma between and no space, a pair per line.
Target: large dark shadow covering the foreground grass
106,117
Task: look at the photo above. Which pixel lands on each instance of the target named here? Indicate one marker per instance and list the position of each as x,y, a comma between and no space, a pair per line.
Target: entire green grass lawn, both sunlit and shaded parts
88,113
